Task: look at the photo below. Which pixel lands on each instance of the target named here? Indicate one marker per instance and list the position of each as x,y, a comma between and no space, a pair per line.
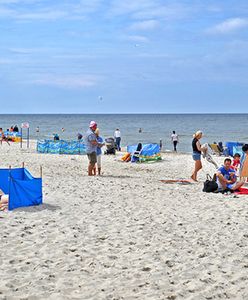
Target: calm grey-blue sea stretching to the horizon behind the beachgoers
216,127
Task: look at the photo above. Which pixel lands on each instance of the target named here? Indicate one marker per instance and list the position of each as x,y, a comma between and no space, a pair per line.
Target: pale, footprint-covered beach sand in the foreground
124,235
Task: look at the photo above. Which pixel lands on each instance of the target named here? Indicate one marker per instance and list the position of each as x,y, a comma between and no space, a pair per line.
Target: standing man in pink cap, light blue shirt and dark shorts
91,146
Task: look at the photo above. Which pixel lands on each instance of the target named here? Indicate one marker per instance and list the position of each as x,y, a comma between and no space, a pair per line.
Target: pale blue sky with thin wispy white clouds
116,56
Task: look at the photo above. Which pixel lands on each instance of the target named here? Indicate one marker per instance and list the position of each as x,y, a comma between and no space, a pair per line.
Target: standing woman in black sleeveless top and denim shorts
197,149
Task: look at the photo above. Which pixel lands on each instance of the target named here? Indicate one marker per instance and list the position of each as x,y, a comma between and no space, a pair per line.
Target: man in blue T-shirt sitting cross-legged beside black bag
226,177
